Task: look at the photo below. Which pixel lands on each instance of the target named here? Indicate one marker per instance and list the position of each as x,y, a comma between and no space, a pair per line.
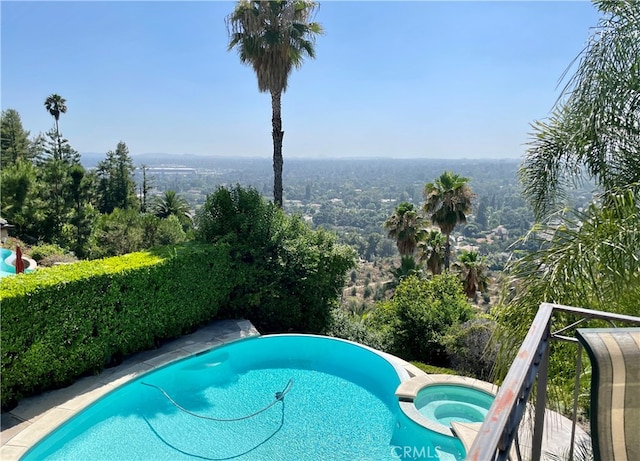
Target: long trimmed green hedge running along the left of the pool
67,321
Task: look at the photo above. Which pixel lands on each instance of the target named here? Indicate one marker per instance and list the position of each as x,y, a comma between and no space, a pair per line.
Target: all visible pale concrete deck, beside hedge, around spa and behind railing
36,416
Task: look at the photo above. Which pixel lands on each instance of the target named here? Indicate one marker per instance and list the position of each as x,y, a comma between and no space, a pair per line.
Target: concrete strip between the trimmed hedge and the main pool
37,416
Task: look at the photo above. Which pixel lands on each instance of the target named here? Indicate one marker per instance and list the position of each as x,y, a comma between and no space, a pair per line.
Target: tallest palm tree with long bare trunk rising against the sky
274,37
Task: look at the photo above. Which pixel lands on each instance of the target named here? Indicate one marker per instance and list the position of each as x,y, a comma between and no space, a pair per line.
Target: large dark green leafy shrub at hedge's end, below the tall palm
289,277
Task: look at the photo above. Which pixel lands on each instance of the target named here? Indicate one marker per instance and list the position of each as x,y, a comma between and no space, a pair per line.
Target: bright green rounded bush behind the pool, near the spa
419,314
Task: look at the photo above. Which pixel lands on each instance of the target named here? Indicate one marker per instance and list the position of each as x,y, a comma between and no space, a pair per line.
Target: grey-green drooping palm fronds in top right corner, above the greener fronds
594,129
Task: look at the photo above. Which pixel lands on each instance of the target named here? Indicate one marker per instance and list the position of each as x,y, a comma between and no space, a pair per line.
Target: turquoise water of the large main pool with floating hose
339,404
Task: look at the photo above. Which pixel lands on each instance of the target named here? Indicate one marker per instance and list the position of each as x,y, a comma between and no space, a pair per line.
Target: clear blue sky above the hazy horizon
391,79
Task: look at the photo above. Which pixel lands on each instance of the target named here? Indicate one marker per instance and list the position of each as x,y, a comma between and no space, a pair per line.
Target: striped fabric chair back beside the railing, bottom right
615,391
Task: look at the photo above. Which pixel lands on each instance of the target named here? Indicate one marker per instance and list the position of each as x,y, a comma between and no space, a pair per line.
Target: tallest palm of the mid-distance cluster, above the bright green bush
447,203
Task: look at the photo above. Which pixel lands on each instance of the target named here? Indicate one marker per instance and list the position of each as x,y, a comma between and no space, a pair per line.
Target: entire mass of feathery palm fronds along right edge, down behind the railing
589,257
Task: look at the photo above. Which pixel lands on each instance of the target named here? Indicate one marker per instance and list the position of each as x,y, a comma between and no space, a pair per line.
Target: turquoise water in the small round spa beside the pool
447,403
